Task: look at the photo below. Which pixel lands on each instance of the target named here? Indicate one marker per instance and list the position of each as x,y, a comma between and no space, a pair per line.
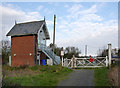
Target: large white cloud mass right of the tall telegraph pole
86,27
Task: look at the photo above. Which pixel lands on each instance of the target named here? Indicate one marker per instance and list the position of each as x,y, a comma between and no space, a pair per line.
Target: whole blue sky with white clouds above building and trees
94,24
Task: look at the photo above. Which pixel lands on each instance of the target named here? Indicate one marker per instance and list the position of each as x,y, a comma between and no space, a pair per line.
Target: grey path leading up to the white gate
83,77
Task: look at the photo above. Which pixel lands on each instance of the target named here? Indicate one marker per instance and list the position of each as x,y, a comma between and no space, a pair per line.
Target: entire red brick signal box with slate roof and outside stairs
28,44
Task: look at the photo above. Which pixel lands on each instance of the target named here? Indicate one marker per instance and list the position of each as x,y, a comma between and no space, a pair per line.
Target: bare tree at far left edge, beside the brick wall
5,51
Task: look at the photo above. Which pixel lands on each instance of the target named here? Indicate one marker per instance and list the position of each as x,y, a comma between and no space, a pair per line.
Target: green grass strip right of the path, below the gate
101,77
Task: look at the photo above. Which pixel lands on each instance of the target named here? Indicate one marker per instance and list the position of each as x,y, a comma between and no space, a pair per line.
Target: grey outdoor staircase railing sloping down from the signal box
47,50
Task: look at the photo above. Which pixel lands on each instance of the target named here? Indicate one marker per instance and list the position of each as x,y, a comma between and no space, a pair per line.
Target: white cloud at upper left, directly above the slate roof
9,16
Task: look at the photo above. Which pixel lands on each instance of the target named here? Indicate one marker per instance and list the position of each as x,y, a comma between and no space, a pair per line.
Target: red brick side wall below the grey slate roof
21,47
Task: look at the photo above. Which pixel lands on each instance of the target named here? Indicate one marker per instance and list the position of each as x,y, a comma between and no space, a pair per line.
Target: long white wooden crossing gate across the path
85,63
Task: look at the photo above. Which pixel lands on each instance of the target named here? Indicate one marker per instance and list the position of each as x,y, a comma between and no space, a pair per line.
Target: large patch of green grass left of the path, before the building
48,76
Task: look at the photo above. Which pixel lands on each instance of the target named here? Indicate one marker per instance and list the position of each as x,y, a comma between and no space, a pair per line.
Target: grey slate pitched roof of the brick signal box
28,28
